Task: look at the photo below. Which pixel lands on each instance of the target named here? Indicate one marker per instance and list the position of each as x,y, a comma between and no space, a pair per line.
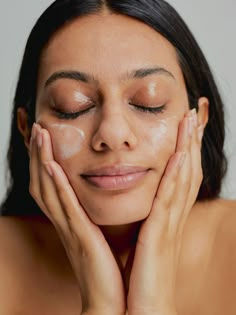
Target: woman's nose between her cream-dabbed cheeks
114,133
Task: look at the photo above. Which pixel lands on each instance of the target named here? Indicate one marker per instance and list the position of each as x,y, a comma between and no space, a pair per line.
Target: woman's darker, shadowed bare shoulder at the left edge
30,254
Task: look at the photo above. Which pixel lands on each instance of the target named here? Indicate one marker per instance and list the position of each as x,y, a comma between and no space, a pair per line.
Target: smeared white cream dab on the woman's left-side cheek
67,140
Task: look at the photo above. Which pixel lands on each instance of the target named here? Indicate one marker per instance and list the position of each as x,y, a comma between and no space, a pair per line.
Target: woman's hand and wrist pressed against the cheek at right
153,277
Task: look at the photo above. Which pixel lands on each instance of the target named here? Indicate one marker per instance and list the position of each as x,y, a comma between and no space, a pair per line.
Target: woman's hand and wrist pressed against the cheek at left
93,263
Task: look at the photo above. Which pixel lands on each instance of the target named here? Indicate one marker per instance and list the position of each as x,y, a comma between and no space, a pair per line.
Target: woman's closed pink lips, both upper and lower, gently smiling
115,178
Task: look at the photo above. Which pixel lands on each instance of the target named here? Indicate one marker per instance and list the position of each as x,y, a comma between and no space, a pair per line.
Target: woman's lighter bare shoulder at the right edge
208,259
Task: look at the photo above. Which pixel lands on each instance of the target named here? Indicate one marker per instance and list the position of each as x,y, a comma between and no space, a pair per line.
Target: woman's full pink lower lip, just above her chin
117,182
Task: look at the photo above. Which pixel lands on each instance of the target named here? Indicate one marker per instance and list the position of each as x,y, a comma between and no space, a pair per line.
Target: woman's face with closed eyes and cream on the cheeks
111,94
